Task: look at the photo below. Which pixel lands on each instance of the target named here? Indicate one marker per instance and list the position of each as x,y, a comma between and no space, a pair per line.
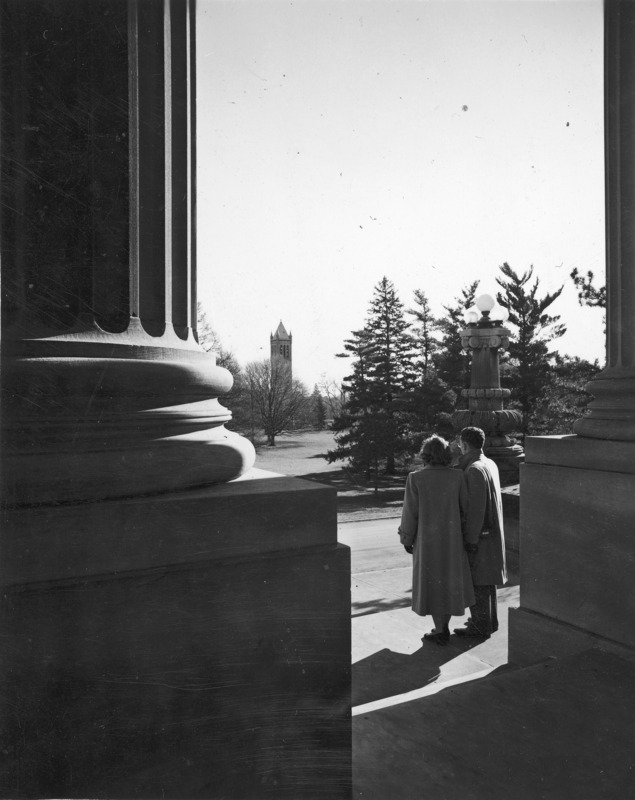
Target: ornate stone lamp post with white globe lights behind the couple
486,337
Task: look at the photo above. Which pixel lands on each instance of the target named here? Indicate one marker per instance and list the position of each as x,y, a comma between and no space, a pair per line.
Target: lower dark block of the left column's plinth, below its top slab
198,682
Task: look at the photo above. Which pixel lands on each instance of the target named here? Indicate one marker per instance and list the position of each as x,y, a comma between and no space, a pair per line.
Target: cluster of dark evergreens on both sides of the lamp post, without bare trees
408,369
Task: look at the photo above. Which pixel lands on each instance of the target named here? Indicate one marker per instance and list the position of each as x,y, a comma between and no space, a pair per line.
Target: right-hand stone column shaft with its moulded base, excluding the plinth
612,411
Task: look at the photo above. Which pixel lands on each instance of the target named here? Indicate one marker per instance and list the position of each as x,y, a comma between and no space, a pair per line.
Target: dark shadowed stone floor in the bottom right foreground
560,730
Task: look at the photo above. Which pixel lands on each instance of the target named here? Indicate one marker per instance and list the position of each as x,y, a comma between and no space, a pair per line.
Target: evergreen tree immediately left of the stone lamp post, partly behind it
452,362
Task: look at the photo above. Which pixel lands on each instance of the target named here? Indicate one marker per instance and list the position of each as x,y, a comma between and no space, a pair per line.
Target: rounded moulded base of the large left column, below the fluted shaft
93,420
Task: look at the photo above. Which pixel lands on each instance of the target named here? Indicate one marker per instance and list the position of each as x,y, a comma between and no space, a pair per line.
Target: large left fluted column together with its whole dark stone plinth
166,631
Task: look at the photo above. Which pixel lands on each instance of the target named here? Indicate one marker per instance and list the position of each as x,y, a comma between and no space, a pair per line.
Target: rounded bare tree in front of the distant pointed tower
276,397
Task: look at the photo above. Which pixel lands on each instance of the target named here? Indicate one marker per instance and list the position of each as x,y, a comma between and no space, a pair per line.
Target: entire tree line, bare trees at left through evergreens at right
407,372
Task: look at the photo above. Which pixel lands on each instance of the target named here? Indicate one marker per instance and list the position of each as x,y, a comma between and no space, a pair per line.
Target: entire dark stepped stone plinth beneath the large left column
191,645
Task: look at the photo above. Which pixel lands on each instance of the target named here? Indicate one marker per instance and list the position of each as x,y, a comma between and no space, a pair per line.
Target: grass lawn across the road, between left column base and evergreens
300,454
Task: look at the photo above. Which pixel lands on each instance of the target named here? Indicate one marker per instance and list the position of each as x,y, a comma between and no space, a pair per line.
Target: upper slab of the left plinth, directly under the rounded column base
243,518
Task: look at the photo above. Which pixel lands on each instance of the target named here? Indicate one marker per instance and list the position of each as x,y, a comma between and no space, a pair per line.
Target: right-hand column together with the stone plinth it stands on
577,492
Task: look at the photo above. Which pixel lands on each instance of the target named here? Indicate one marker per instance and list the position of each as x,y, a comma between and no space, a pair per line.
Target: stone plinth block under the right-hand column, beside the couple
576,535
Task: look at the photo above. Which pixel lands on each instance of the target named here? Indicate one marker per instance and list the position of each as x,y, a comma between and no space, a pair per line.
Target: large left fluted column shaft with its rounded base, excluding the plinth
107,392
